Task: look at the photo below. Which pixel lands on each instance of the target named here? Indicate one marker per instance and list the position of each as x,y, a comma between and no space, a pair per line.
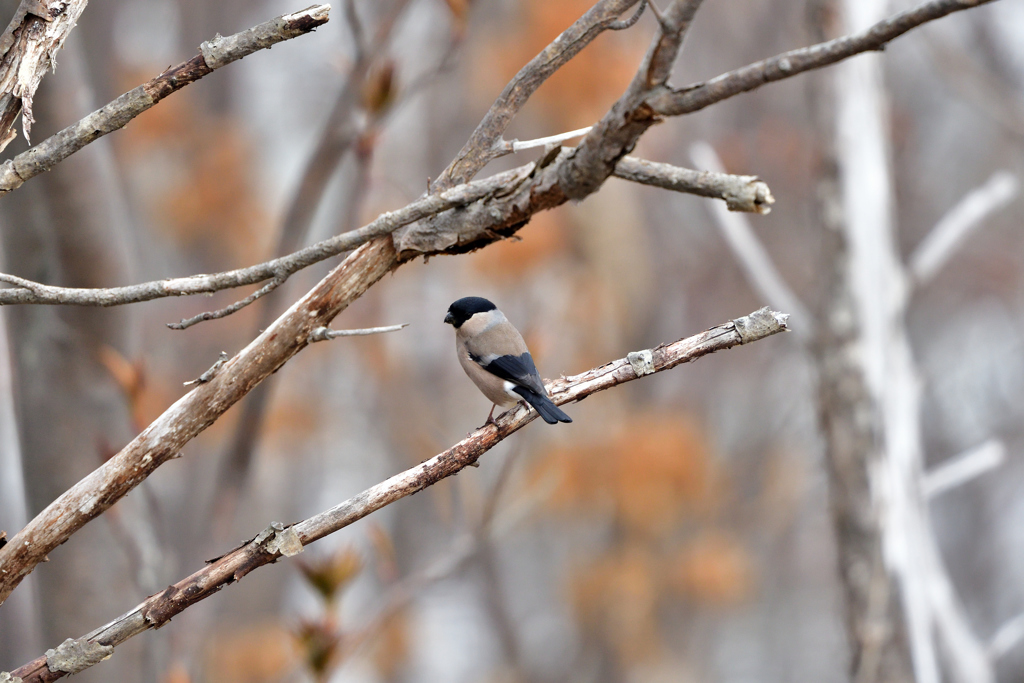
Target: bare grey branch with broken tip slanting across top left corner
214,55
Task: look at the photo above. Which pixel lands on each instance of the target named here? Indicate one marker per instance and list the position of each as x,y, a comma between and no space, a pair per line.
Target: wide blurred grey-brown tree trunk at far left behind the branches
65,229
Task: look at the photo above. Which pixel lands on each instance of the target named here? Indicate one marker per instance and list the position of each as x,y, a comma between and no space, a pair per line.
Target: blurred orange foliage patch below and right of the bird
656,485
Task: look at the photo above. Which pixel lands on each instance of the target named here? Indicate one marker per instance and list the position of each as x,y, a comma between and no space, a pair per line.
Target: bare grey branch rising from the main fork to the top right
698,97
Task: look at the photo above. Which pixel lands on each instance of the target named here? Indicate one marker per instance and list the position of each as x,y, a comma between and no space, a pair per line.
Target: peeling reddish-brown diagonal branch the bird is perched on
280,541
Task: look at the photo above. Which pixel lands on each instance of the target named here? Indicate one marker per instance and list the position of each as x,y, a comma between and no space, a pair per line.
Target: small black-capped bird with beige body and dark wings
494,355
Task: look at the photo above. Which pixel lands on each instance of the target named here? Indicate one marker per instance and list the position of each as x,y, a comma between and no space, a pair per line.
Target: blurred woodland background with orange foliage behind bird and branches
679,530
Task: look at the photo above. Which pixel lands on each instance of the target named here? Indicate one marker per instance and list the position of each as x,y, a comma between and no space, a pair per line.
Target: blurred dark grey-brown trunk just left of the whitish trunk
848,416
